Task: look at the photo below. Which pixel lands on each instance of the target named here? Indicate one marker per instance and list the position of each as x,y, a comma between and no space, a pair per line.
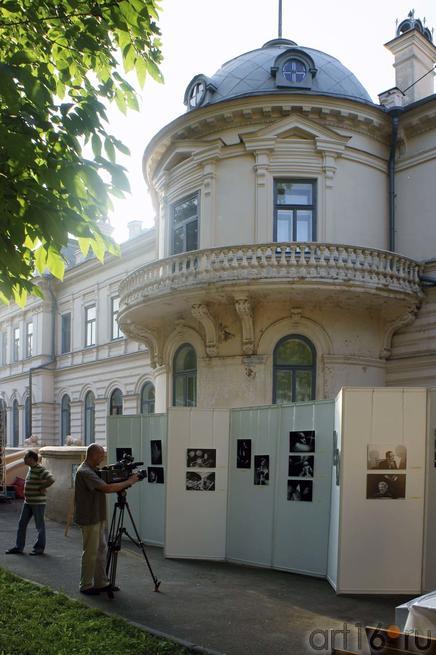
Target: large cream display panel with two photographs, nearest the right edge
380,539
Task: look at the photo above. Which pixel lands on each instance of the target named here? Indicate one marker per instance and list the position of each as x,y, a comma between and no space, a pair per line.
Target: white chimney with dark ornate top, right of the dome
415,57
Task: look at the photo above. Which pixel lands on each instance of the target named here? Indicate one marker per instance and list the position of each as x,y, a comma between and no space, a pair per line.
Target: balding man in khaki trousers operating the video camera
90,515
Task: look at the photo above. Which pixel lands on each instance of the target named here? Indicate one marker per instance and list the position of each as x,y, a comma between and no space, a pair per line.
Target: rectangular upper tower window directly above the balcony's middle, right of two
294,211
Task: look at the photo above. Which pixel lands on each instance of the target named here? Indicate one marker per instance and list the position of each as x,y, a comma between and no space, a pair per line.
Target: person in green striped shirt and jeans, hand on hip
37,481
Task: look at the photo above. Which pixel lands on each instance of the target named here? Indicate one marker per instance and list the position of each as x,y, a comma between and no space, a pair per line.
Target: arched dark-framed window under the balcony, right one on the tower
294,370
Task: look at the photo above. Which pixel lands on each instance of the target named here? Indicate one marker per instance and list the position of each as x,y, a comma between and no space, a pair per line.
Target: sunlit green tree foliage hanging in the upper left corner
59,68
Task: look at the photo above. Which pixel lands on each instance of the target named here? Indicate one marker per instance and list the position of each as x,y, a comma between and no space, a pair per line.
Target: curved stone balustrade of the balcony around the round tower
273,262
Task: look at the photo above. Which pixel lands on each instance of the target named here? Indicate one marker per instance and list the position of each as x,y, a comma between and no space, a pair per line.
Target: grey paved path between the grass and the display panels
232,609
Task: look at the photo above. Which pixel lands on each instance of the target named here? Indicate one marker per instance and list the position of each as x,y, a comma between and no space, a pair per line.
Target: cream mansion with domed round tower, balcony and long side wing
294,253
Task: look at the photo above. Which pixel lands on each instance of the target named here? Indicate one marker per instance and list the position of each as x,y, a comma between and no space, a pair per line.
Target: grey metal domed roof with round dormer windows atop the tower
280,66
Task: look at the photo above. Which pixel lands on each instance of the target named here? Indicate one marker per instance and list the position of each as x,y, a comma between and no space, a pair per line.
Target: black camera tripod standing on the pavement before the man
116,532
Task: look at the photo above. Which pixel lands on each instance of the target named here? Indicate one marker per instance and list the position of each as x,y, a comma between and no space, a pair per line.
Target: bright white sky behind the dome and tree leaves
200,35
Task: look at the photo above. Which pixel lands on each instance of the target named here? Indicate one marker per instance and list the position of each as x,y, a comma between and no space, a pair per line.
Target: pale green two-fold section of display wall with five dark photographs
281,519
